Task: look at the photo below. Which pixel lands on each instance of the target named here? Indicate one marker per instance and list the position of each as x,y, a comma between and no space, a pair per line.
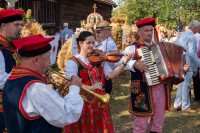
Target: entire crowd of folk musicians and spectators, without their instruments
29,104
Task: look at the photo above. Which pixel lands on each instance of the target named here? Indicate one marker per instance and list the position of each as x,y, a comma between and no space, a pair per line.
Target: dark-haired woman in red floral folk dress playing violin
94,119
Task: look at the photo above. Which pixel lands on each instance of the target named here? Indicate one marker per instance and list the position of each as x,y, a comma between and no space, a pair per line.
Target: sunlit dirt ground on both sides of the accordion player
175,122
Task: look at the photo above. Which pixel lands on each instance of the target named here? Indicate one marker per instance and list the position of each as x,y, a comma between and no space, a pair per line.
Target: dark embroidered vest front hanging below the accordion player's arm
141,100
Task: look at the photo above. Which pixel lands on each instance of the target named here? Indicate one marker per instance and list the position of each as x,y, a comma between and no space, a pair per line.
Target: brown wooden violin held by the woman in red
98,56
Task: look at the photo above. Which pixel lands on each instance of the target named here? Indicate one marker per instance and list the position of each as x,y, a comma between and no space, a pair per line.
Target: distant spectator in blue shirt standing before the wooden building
65,34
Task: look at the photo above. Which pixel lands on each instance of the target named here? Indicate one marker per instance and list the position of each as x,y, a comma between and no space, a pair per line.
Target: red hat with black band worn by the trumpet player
32,45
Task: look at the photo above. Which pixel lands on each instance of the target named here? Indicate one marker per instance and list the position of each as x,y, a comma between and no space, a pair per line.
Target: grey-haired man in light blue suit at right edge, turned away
186,39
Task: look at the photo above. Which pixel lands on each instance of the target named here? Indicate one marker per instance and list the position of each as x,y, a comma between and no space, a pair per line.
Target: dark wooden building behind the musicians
53,13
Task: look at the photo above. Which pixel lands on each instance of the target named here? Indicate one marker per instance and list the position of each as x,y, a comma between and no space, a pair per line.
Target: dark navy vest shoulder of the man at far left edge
8,58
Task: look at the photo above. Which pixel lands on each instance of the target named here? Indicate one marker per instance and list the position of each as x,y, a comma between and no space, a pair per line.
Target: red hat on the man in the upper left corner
10,15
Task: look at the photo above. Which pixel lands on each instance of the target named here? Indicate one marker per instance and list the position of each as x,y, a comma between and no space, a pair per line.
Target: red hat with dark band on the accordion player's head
146,21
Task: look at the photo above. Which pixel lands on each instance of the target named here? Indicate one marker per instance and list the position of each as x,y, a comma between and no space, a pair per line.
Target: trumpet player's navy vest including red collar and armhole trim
16,119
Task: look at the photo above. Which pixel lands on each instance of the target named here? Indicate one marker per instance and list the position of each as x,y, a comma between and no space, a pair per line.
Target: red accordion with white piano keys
165,63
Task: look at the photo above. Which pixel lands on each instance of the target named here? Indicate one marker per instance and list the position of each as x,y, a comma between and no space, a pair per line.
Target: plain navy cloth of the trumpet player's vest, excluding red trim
15,121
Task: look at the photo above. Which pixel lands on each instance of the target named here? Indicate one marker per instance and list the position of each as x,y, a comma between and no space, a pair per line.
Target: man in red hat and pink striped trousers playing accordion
146,101
